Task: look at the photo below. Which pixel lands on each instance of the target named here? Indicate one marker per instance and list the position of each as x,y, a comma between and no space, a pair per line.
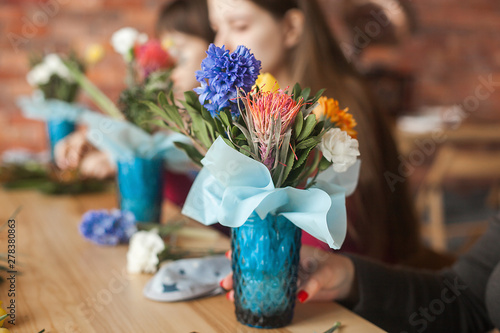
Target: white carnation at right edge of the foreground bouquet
340,149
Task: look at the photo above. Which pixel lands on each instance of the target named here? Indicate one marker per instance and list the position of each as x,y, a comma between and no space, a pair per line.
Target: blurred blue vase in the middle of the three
140,186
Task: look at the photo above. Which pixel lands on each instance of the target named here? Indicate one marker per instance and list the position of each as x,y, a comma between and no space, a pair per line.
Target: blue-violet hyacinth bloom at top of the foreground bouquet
222,73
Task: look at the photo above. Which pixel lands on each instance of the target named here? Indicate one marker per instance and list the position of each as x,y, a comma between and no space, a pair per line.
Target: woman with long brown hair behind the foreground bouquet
294,43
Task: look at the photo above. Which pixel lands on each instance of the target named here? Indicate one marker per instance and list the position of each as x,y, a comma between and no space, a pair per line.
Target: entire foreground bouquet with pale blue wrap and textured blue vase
270,158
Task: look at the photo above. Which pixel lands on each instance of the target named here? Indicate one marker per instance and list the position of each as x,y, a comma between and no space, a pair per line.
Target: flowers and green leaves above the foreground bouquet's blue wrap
281,130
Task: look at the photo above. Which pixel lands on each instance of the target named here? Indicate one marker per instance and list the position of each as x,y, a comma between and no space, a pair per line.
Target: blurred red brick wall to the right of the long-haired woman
455,45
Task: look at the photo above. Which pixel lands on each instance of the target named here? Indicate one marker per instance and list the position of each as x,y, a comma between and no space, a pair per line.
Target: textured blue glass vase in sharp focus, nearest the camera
265,262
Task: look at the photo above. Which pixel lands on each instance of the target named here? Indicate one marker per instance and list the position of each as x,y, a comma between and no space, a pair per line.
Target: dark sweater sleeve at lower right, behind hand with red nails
405,300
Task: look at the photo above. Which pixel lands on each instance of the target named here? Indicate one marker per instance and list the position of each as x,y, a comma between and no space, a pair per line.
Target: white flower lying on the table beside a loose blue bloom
142,255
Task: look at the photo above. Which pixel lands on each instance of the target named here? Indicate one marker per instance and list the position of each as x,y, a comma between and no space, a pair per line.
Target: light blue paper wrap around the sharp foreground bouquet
231,186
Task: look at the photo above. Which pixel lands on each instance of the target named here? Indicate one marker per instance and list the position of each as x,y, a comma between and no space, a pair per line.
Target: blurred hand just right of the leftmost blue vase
69,152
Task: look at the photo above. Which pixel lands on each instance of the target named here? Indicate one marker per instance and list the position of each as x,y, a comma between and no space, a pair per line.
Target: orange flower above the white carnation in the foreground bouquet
328,108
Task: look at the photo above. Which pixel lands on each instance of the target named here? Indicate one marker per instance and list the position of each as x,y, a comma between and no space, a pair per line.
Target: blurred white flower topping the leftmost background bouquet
51,65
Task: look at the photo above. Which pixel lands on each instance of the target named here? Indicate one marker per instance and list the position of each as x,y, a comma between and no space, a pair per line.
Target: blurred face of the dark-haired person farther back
188,52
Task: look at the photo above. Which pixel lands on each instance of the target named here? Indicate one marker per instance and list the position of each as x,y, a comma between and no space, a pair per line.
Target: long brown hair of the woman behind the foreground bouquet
385,224
